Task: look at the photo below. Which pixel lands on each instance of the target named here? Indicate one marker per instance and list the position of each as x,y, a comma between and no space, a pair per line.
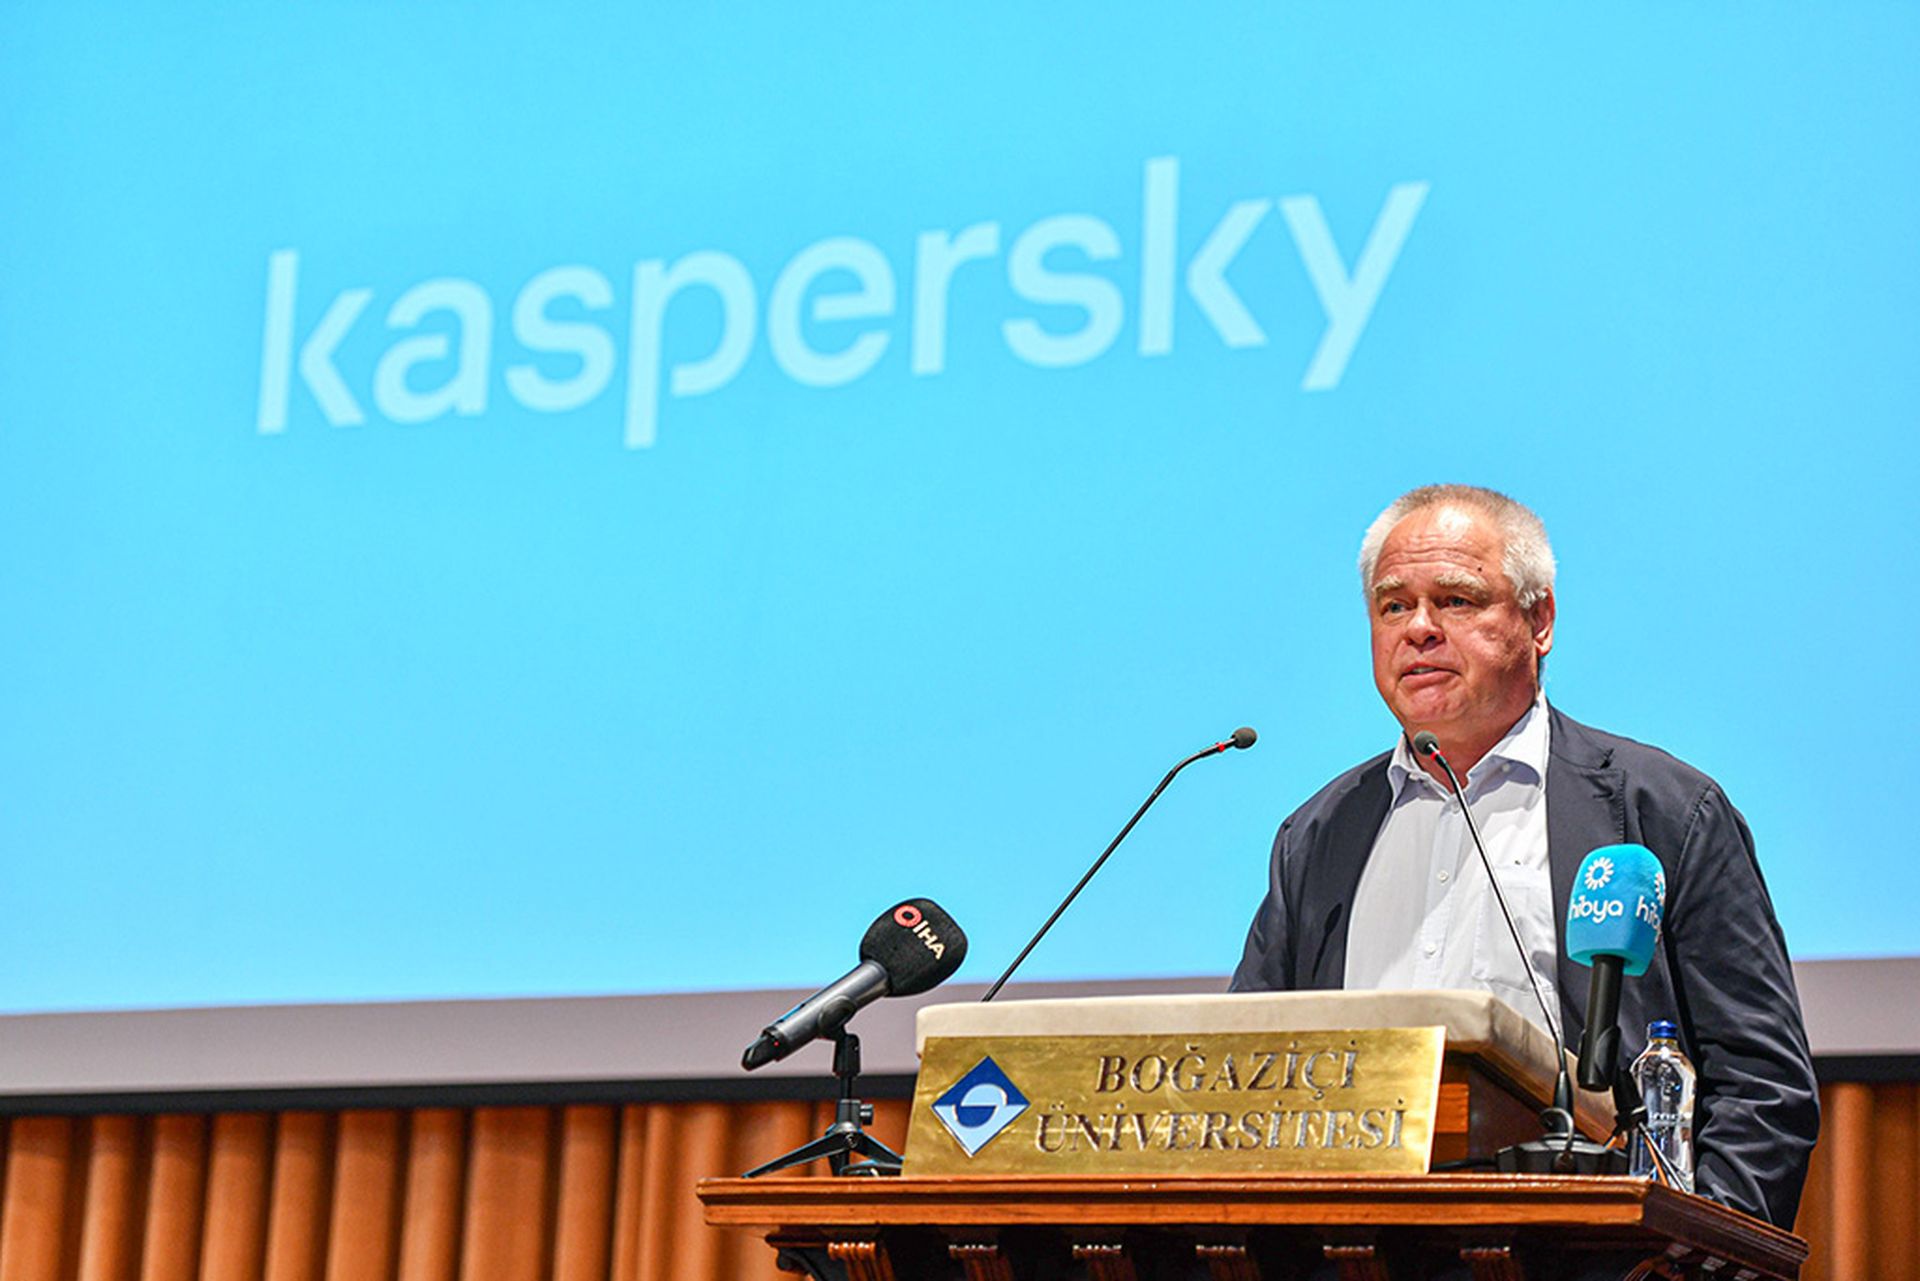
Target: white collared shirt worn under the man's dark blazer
1424,915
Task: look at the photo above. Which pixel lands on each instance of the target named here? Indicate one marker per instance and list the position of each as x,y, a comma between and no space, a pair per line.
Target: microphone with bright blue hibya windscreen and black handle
1614,925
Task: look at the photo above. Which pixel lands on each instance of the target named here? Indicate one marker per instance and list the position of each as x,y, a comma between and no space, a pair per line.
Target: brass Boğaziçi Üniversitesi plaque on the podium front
1224,1101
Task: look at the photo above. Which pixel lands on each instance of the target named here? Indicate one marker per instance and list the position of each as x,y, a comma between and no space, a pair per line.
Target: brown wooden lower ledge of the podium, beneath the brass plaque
1481,1226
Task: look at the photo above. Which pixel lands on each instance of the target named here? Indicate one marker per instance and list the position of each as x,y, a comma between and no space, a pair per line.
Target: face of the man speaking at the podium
1452,648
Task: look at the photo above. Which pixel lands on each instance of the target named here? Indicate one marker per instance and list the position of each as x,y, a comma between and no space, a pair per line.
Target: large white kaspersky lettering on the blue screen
832,314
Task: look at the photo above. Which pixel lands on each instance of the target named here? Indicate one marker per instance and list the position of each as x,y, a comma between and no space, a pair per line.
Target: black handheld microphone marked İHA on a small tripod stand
909,950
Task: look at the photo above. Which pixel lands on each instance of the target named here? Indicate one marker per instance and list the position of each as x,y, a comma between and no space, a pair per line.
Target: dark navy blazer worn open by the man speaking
1721,971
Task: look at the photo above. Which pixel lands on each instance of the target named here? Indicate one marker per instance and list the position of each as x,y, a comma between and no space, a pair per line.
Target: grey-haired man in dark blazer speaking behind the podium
1376,884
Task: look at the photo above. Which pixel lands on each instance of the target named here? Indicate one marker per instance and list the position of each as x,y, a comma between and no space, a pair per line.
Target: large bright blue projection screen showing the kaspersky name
554,500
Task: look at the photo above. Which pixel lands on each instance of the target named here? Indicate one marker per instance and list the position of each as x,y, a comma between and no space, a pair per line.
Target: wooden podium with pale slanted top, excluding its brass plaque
1272,1224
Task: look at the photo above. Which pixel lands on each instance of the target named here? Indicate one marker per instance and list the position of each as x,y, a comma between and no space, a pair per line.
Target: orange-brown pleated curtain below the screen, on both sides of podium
596,1194
